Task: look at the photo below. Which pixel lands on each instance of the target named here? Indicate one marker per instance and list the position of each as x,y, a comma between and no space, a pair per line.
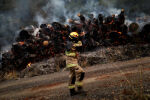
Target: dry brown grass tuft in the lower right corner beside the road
135,90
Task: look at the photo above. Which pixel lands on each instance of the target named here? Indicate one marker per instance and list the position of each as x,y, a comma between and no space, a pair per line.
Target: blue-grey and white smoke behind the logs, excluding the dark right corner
27,12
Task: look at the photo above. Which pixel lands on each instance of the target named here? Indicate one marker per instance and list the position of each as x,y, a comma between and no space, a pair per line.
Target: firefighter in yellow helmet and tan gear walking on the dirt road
76,72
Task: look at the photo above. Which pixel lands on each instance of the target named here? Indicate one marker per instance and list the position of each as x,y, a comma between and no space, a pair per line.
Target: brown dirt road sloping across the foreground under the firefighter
105,81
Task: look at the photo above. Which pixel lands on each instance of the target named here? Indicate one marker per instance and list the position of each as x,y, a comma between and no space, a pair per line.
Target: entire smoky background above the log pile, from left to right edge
15,14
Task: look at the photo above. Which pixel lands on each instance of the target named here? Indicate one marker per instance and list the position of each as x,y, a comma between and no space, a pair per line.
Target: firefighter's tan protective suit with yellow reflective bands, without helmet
76,72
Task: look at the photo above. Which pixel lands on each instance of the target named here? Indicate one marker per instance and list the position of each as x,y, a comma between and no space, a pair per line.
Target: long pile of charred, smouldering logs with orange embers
50,40
